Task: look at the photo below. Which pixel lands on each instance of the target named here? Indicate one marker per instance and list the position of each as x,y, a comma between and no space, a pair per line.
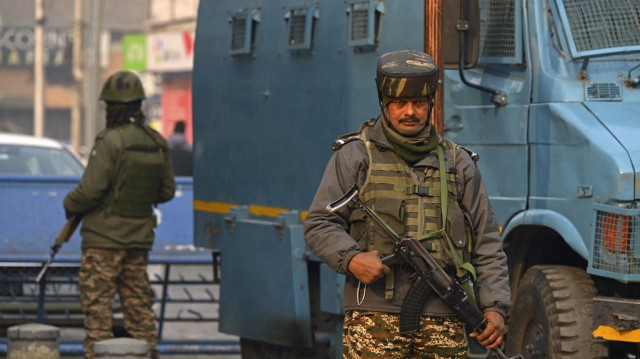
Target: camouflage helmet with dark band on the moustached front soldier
406,74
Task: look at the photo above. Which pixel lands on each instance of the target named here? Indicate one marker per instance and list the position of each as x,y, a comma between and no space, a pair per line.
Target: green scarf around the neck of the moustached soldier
406,147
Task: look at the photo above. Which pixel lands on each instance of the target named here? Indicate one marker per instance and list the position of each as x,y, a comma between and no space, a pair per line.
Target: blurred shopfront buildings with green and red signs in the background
82,43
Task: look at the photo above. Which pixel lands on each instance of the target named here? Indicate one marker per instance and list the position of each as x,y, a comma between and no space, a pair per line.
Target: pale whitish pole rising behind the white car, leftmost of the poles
38,70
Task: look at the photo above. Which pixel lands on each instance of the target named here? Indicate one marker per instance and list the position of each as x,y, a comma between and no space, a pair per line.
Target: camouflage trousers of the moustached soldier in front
377,335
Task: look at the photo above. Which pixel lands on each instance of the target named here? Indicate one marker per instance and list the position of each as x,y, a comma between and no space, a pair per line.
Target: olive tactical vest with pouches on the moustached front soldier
411,204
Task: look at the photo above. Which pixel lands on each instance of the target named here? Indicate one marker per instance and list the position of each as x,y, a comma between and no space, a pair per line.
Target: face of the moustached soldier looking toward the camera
408,116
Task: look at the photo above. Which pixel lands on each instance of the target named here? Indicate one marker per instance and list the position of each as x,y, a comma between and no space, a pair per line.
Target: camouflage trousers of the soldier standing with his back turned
103,273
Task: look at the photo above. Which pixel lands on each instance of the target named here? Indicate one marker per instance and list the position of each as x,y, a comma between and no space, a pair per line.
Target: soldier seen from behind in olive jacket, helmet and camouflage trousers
129,170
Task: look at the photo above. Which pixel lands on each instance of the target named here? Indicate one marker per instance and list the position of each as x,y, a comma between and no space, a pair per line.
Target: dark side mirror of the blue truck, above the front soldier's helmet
461,22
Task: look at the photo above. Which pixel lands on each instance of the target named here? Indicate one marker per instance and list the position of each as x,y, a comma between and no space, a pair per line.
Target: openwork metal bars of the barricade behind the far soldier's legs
186,292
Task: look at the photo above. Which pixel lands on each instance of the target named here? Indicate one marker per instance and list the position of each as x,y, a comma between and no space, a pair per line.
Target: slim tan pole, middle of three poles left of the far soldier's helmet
78,76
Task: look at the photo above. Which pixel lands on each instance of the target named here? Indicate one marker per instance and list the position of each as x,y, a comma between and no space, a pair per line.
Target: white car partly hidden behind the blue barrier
37,156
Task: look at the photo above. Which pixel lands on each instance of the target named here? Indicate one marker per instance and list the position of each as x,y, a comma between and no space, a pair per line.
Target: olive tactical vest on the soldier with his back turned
138,182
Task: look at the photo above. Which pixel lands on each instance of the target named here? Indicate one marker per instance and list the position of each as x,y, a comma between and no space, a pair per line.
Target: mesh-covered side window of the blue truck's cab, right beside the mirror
497,28
